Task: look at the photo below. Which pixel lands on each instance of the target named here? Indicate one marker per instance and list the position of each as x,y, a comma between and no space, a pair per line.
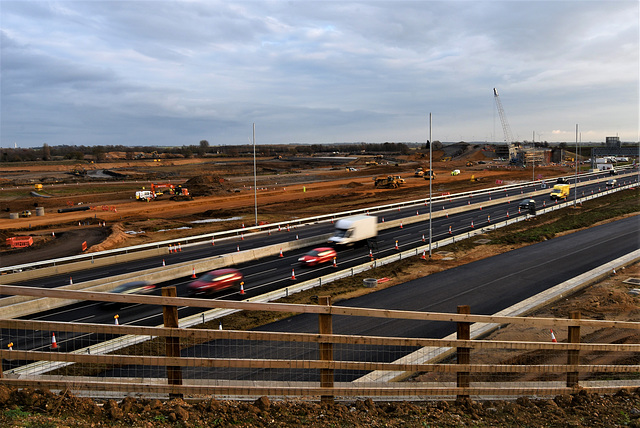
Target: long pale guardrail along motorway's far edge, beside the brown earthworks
147,250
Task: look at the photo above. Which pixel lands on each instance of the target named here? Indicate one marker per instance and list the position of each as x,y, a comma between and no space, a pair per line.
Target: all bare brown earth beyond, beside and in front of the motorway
323,189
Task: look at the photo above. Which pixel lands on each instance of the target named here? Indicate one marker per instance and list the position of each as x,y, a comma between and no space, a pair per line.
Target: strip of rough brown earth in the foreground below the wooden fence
29,407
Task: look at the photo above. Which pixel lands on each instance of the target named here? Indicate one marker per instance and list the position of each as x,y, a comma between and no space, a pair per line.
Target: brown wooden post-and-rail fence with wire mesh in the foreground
449,362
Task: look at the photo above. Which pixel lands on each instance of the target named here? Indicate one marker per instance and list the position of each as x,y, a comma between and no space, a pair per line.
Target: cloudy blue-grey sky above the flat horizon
177,72
